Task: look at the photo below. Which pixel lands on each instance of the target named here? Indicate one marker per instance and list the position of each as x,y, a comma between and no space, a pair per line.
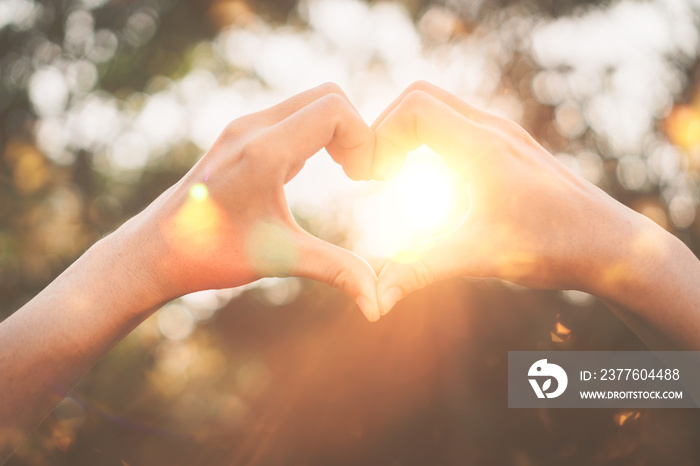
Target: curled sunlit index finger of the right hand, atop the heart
420,119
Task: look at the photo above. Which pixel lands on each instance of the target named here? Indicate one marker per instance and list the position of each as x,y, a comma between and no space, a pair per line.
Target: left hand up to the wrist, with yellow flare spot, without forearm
227,223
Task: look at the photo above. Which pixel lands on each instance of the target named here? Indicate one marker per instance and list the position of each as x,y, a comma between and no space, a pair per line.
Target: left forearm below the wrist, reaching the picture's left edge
51,342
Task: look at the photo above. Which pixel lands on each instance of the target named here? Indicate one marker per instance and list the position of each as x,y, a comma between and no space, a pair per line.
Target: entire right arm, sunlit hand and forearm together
534,223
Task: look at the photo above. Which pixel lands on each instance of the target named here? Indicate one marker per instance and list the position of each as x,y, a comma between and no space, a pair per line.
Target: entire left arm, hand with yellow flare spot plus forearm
185,241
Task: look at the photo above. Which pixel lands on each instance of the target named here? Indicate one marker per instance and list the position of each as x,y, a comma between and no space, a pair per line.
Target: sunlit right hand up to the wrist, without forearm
531,221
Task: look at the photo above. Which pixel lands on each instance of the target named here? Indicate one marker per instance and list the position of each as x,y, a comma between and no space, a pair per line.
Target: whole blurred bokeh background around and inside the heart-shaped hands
105,103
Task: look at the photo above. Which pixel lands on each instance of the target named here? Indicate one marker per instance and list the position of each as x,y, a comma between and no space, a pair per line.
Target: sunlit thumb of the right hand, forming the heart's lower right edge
431,261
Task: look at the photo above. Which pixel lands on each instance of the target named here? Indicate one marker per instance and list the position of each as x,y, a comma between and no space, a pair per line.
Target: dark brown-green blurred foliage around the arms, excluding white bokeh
288,372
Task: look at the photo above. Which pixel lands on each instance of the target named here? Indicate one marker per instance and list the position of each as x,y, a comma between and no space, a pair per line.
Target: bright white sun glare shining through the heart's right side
426,199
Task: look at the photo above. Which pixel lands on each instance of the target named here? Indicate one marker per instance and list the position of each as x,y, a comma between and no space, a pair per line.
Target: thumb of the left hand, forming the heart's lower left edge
328,263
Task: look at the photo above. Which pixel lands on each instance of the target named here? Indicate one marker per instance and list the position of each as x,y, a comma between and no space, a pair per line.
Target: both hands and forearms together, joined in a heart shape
227,223
